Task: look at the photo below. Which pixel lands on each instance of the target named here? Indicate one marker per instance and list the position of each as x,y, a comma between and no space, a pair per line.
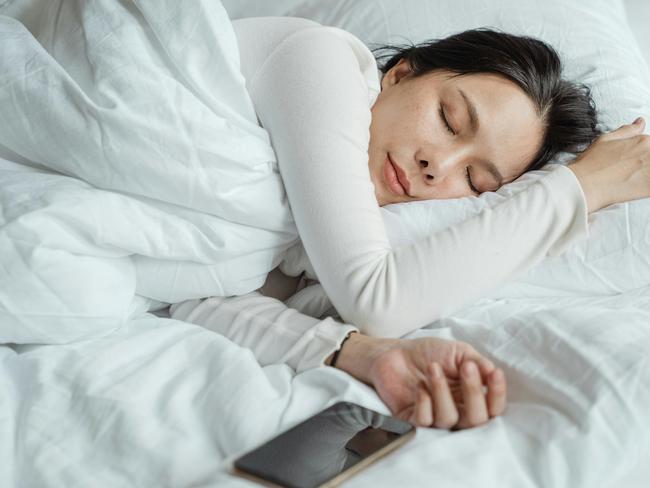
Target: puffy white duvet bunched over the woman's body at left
196,205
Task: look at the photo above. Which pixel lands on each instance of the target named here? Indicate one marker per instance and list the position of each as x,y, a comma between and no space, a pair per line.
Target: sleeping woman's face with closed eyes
494,132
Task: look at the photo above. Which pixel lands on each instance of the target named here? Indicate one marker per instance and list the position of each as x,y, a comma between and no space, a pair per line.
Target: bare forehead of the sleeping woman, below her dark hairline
510,129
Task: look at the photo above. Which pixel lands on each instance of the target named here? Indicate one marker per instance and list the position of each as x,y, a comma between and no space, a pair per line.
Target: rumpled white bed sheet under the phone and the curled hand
163,403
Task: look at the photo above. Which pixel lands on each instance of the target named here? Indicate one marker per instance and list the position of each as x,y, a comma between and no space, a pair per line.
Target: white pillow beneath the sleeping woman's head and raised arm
597,48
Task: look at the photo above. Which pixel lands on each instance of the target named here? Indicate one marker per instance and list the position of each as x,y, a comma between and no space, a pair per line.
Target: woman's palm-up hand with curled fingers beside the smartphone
429,382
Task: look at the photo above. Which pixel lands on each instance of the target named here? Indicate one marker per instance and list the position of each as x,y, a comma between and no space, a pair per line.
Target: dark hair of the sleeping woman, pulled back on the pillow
566,109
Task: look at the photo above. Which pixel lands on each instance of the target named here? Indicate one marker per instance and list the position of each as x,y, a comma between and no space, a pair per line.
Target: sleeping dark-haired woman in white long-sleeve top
447,119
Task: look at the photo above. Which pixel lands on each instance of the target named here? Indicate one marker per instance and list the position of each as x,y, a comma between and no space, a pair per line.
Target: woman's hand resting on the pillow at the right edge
615,167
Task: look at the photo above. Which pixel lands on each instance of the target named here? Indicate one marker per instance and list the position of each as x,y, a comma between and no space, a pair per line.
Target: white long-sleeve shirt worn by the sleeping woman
311,89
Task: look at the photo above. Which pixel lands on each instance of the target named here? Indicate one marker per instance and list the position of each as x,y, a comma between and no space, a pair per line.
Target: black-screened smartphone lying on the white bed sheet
325,449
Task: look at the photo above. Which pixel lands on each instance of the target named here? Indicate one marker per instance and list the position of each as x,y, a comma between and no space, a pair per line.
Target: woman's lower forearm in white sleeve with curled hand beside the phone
419,380
